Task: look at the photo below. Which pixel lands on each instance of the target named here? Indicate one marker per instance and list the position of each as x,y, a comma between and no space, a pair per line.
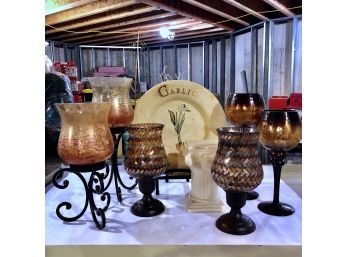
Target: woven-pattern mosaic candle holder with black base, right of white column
237,170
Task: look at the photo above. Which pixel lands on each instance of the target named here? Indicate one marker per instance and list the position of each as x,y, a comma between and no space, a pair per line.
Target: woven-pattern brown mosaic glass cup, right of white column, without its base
237,165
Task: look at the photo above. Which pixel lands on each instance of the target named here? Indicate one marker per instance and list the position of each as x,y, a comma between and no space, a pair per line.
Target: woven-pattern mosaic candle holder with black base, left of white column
146,159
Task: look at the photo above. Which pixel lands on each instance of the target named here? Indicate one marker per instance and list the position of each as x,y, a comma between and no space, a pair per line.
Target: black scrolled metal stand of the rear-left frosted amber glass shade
114,166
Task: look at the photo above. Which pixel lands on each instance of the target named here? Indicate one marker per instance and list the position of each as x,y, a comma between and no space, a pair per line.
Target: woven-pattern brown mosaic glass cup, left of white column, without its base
145,155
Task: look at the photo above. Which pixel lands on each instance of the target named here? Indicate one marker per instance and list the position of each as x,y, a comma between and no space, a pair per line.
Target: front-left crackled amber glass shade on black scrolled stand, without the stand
85,137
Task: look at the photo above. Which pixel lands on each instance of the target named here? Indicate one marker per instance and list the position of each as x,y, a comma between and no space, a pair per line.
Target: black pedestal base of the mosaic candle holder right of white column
235,222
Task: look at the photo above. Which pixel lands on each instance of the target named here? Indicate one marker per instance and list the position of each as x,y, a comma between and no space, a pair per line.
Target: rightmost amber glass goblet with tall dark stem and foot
280,131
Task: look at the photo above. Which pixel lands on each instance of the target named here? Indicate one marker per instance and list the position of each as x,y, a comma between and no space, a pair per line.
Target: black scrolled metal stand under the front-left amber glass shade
95,185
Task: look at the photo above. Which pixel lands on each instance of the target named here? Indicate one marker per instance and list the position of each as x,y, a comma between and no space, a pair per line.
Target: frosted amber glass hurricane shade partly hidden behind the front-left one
116,91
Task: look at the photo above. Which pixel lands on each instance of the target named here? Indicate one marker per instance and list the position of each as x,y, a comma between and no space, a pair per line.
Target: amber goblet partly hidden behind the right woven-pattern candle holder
244,110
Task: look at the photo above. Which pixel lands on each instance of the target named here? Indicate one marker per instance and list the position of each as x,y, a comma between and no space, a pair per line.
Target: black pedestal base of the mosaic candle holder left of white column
147,206
